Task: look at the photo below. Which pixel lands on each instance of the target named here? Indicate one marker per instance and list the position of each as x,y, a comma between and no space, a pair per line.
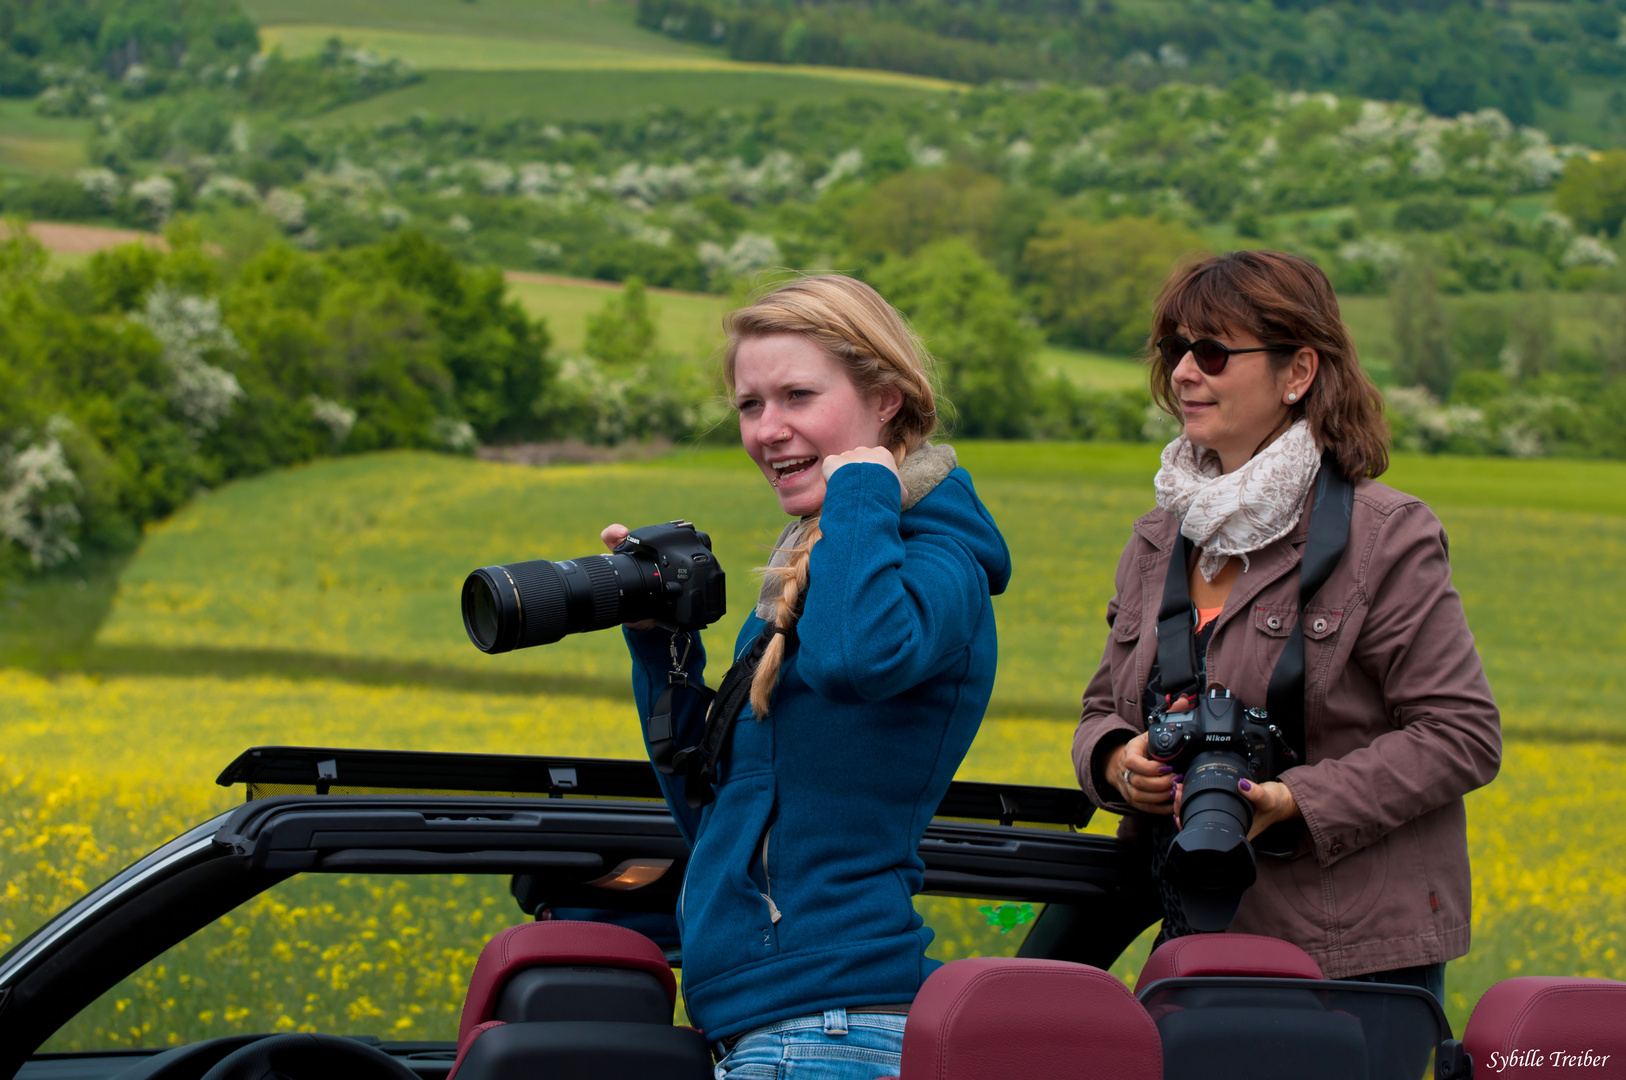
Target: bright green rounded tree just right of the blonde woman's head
970,320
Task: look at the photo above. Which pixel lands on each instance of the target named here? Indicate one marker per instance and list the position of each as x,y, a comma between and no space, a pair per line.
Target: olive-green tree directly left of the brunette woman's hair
1095,284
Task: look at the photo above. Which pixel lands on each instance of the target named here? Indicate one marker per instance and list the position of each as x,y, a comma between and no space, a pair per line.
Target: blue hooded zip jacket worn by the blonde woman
802,873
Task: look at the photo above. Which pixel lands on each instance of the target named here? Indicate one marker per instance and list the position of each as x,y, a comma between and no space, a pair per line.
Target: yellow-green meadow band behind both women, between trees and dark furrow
360,562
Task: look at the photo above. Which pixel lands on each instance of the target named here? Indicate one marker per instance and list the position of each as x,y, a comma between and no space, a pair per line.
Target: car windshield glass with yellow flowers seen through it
376,956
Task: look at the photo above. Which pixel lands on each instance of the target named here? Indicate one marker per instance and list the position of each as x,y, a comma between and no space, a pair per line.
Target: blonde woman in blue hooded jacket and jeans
801,944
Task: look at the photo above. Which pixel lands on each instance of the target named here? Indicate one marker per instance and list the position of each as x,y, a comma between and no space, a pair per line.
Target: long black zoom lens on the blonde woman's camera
534,604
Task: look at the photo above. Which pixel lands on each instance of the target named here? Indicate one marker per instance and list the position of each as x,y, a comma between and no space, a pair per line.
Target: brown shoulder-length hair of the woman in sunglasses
1282,300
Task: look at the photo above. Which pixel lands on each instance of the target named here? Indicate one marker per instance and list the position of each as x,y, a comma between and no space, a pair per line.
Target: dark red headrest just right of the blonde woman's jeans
991,1019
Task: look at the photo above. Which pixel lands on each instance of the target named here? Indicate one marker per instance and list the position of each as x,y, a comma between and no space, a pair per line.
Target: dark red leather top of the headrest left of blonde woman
557,944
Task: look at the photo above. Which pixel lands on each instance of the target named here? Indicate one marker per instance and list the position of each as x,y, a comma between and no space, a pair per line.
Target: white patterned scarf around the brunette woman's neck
1241,512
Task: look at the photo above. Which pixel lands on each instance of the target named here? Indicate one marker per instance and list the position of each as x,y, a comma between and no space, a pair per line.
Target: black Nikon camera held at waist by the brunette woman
1215,746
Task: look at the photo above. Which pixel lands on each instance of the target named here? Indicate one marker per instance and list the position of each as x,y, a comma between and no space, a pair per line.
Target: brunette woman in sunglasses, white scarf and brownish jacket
1251,357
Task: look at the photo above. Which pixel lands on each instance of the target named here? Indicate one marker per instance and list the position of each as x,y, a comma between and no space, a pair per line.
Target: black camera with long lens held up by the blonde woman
666,573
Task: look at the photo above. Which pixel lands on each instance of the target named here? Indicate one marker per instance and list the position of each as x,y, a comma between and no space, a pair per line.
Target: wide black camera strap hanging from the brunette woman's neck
1329,536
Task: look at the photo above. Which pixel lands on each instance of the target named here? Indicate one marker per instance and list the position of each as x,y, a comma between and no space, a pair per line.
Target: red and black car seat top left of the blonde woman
575,1042
